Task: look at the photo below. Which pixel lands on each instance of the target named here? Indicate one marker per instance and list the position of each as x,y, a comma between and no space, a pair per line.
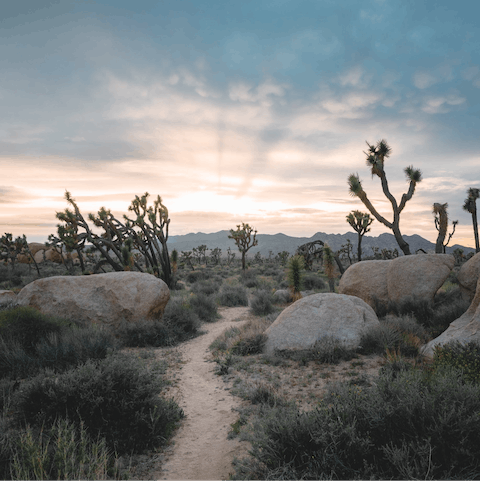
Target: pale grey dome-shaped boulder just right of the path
307,320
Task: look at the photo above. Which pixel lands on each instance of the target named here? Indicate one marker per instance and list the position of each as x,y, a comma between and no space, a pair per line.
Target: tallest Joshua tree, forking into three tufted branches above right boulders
376,155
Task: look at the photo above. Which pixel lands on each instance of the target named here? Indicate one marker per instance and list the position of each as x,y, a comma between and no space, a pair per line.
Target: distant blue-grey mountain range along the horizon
281,242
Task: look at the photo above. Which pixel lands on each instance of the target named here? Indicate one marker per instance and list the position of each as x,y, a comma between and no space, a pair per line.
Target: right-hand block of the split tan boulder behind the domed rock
418,276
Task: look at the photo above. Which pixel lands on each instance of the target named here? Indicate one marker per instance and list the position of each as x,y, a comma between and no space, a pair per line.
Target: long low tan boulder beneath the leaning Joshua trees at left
100,299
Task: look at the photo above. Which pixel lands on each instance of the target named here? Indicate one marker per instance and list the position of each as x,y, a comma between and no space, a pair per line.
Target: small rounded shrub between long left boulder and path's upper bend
180,319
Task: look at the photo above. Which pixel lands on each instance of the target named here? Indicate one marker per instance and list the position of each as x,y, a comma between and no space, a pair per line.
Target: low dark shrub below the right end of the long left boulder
146,333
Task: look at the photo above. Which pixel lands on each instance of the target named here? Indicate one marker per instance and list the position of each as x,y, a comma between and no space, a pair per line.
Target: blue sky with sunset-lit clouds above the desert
245,111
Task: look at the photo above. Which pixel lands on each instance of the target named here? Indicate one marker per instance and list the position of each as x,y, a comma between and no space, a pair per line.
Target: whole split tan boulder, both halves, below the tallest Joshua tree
418,276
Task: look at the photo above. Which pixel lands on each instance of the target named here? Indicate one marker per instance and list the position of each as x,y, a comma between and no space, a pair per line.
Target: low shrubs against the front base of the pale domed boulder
328,349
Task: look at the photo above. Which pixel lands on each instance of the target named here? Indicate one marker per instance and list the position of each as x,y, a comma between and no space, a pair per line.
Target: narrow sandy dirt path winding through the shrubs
202,451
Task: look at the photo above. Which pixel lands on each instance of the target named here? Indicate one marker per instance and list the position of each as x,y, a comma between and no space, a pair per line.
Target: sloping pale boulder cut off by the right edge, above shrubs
464,329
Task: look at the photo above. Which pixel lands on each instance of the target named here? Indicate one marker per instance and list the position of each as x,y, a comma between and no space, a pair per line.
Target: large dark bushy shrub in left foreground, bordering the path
116,398
